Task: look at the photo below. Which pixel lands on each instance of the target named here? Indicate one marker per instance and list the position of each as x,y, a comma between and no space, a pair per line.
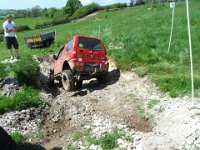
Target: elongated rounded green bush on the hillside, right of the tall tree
85,10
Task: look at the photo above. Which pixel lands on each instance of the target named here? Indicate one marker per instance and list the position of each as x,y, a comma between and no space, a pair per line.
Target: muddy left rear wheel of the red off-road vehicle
68,80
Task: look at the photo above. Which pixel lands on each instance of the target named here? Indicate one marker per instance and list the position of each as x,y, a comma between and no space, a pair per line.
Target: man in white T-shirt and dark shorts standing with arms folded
10,36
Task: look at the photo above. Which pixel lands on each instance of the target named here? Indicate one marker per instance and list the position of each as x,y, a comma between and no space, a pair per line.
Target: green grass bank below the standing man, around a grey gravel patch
26,72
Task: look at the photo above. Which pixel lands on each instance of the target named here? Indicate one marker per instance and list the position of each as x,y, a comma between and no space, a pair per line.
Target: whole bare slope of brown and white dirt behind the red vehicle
173,124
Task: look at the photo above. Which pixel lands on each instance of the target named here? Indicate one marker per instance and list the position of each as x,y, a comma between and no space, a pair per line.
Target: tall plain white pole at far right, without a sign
190,46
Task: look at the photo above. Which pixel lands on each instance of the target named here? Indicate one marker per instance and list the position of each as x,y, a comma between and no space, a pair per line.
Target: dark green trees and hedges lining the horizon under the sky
72,6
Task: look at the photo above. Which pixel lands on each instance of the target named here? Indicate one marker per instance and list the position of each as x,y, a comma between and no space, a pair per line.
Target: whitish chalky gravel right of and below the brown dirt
175,126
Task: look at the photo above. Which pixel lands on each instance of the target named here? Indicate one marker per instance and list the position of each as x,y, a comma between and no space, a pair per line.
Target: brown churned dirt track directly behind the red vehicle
69,111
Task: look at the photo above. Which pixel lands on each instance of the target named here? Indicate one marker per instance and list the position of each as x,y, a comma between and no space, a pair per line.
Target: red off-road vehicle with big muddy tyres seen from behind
81,58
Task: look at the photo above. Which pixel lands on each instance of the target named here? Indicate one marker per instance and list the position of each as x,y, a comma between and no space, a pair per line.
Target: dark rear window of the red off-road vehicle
88,43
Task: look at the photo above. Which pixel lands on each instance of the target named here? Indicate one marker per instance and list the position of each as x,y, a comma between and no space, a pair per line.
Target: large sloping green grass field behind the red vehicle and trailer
139,37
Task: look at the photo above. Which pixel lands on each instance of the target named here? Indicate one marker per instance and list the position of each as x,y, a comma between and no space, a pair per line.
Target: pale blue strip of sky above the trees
23,4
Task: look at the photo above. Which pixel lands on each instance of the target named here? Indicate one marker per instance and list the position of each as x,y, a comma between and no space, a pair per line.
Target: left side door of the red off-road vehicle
59,63
